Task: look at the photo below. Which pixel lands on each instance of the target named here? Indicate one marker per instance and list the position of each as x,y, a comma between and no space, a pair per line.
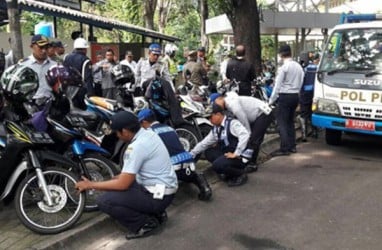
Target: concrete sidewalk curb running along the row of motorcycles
102,224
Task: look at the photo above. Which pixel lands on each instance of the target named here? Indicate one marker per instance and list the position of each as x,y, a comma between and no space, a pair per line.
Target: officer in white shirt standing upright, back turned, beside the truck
288,83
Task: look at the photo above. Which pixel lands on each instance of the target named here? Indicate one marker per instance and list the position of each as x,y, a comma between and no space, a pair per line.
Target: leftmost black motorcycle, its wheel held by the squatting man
38,181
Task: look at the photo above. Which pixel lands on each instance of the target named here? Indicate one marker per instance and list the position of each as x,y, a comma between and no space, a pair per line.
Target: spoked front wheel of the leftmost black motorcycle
32,208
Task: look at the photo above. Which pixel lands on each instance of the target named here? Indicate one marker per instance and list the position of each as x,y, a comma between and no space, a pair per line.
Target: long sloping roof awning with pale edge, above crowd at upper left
91,19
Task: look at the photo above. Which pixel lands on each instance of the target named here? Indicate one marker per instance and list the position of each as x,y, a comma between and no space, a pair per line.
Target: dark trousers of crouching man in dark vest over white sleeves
221,165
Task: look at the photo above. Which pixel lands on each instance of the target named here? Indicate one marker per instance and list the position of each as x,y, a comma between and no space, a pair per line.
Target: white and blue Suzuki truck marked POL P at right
348,84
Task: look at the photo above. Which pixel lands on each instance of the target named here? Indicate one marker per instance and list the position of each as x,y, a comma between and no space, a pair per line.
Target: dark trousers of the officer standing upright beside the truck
287,104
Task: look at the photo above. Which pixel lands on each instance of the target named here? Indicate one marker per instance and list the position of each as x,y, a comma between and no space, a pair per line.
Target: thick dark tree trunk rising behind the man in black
246,29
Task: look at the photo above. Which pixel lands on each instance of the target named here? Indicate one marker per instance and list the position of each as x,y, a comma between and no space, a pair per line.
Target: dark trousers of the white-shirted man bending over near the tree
258,130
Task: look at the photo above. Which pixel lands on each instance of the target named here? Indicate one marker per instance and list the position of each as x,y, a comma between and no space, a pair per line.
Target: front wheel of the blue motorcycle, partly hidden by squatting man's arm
100,169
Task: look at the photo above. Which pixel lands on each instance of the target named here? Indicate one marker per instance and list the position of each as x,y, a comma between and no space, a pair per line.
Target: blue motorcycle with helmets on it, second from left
51,118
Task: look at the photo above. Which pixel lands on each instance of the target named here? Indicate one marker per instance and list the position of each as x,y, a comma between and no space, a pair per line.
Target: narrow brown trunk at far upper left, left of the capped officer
15,27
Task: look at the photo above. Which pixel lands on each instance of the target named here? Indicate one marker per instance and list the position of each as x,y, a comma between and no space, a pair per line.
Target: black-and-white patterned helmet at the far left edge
19,83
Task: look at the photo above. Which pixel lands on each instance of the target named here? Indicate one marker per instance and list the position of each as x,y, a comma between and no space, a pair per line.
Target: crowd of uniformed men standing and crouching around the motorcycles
155,160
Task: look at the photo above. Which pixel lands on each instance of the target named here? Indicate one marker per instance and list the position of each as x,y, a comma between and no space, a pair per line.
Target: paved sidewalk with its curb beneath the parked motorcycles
13,235
